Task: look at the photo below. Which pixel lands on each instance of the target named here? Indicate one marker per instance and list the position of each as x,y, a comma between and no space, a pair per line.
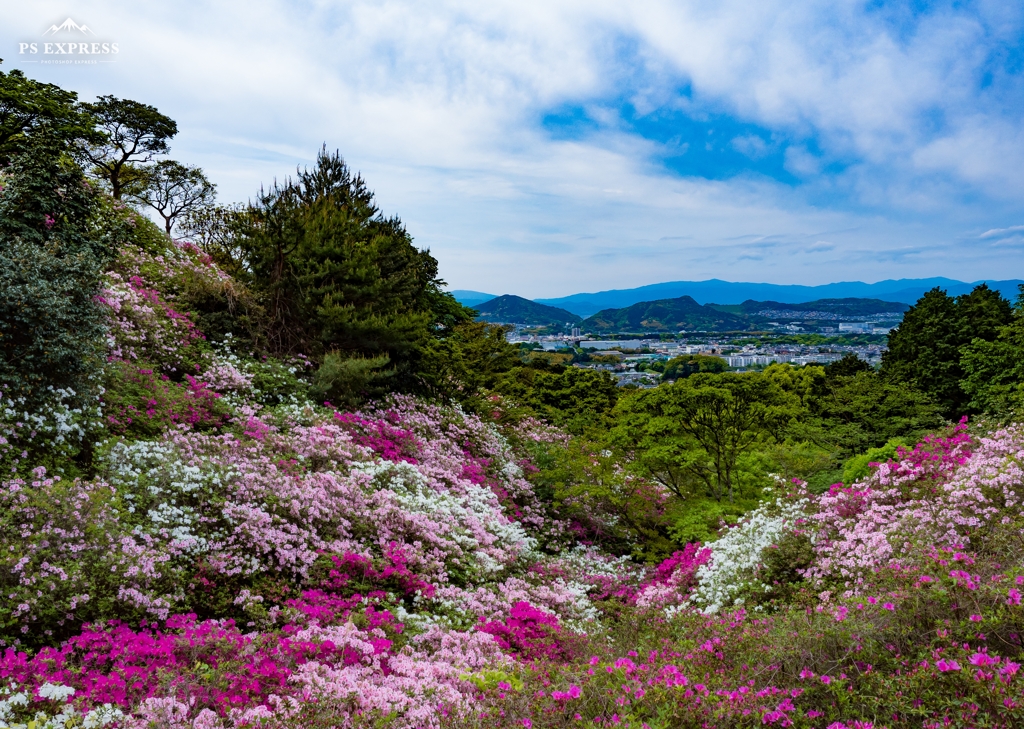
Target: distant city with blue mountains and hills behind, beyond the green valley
632,342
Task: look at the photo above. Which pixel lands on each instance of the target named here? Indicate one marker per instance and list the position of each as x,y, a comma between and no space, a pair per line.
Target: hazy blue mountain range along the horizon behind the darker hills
906,291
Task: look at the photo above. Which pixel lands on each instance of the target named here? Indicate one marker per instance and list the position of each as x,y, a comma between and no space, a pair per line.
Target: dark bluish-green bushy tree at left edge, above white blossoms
52,258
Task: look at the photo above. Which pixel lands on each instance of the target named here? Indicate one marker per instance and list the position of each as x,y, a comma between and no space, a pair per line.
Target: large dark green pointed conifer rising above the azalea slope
334,275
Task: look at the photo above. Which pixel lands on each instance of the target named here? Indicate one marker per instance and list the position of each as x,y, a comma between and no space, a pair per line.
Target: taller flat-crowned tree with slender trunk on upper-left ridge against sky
130,134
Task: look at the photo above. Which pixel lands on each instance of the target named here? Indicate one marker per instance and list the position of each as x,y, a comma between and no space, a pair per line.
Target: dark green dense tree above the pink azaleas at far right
925,350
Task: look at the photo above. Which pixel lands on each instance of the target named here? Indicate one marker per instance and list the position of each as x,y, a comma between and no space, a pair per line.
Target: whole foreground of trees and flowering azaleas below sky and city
262,470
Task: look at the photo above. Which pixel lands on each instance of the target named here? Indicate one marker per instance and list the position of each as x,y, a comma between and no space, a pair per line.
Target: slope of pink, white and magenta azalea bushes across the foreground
238,556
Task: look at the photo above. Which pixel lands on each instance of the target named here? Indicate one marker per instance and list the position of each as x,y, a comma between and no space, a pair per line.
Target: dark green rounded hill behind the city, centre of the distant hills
665,316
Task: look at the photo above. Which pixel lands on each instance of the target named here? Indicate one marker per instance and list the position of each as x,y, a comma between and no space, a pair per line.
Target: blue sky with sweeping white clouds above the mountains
545,148
